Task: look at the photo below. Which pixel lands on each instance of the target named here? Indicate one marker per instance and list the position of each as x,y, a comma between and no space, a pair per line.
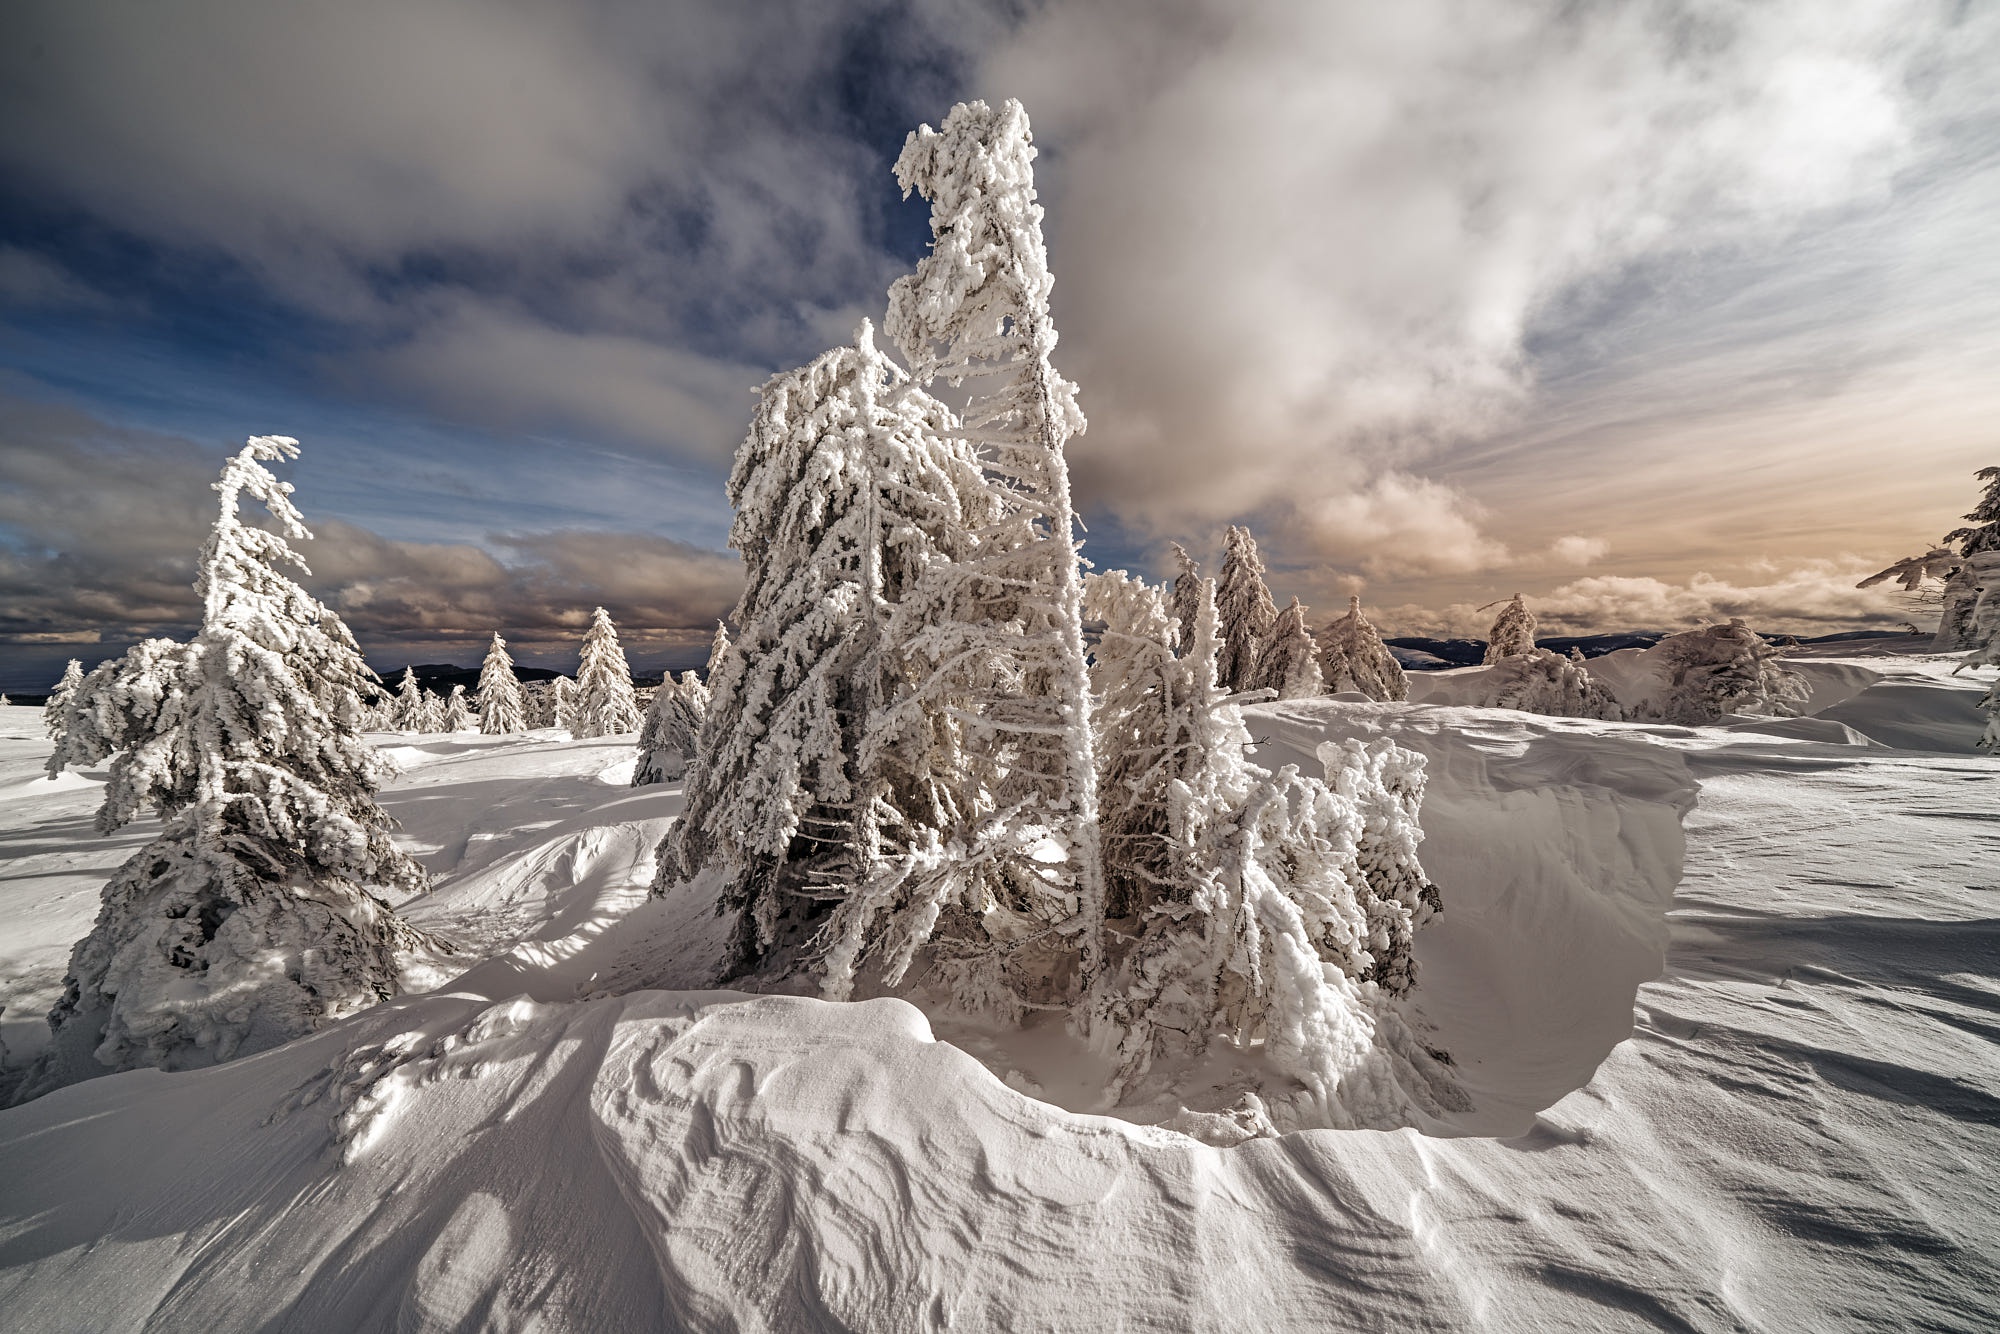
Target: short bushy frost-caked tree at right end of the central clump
1279,909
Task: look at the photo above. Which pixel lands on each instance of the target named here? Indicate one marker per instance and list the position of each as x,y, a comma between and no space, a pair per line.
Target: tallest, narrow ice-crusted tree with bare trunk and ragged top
997,639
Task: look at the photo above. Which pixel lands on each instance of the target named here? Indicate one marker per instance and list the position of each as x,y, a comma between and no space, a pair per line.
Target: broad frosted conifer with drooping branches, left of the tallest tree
849,491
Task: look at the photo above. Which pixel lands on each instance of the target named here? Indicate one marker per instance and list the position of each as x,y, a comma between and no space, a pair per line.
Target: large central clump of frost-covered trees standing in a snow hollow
911,773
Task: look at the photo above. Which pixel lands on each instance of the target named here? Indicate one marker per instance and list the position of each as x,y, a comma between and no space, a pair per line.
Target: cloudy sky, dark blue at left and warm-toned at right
1655,313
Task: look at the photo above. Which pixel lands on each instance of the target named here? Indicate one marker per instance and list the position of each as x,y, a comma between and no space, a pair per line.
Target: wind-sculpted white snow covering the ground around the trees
1799,1135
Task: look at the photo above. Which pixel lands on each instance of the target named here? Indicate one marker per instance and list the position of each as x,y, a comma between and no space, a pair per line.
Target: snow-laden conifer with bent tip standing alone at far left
253,917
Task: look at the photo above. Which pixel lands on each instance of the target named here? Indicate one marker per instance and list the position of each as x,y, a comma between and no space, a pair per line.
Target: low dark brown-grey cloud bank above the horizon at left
101,531
